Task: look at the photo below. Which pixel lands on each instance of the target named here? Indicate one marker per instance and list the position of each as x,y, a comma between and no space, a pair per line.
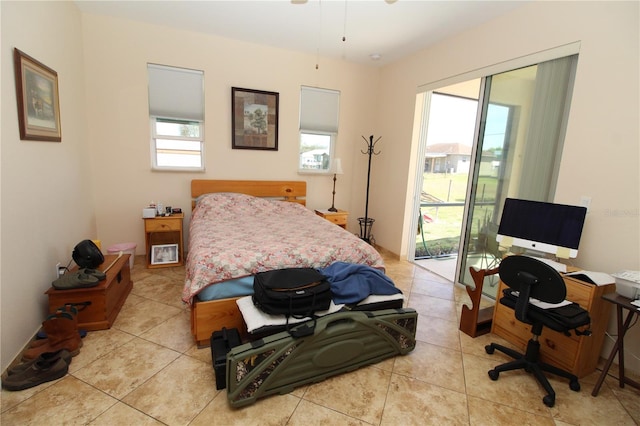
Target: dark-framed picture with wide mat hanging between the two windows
254,119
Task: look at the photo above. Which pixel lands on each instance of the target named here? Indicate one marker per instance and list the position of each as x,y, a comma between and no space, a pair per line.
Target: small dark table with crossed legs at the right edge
618,348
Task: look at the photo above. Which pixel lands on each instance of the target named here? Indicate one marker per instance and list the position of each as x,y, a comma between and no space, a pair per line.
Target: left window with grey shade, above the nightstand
176,113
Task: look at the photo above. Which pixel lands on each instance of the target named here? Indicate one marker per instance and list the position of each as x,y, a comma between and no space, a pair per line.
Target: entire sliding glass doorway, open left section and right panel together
515,150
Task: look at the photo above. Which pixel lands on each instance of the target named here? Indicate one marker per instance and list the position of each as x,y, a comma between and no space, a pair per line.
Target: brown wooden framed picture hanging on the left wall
38,99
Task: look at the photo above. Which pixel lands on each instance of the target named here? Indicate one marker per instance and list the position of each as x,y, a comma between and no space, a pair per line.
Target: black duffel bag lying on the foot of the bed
293,292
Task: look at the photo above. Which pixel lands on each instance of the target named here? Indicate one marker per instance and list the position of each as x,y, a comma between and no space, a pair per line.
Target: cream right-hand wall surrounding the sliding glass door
602,145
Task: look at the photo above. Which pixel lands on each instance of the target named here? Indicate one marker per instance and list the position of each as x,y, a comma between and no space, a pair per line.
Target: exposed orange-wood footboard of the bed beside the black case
210,316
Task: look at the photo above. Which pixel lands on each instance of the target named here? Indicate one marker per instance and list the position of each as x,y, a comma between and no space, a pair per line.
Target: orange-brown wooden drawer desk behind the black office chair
577,354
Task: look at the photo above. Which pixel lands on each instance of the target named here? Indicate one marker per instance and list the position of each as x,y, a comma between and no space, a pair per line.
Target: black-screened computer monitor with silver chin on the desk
541,226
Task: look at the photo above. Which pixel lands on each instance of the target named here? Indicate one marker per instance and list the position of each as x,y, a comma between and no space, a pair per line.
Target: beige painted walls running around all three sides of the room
95,183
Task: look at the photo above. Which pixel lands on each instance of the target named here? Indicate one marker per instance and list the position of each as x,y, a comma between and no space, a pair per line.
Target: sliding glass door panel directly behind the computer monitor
520,134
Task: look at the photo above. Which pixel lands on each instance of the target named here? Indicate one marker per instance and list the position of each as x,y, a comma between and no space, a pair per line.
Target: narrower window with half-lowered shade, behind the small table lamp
319,110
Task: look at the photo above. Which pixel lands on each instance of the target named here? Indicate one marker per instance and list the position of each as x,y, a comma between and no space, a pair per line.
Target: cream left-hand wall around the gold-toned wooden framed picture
47,204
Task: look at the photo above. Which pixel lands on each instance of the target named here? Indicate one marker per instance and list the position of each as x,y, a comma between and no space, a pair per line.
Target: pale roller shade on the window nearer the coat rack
319,109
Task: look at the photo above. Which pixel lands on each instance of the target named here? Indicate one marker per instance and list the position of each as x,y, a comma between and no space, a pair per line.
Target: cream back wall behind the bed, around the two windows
116,56
